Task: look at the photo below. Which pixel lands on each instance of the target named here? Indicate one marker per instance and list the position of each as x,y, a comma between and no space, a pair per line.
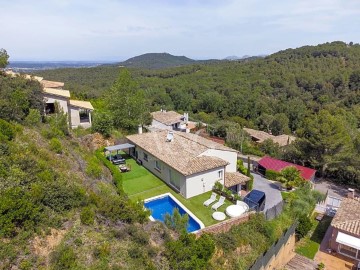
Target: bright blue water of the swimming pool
159,207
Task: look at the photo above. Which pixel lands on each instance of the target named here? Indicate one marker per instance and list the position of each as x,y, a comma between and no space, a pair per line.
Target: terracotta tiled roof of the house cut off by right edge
347,217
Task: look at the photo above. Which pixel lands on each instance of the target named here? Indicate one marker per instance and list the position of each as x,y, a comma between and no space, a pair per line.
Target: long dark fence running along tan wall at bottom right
264,259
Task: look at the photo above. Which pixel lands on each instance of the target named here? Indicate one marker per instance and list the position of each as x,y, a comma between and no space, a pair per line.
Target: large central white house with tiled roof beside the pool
189,163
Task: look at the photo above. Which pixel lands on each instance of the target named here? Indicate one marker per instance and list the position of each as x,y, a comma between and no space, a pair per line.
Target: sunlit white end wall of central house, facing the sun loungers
200,183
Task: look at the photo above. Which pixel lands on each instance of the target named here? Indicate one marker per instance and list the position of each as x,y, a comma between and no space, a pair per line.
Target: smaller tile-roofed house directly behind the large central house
169,120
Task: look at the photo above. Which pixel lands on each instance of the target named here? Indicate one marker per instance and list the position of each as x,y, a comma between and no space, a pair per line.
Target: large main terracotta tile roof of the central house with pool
183,153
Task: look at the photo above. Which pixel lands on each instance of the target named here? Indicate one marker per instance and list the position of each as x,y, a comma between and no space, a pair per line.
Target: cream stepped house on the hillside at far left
79,112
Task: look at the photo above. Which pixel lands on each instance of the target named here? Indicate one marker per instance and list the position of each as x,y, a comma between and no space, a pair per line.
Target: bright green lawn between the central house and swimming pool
141,184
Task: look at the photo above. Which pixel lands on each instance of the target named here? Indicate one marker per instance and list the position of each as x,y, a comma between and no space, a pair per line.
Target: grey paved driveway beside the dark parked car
273,194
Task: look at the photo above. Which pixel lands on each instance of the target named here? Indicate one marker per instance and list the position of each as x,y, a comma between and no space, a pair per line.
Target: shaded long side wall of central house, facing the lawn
164,173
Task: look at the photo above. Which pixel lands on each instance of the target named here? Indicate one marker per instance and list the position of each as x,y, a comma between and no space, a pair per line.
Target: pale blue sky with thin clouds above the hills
115,30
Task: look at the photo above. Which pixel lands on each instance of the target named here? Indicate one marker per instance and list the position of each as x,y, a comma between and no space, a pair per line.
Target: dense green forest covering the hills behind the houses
311,92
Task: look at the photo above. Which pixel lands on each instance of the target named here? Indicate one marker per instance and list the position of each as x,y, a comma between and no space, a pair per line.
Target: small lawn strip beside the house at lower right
309,245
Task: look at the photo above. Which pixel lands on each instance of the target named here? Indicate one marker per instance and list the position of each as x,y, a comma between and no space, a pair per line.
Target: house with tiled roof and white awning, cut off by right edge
345,226
